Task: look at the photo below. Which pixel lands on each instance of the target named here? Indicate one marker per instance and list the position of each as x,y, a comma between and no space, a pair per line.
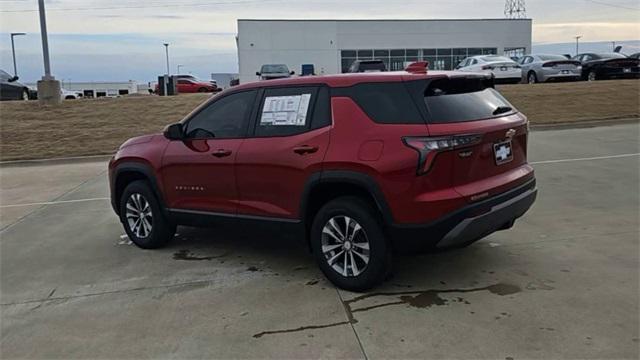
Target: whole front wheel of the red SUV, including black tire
156,230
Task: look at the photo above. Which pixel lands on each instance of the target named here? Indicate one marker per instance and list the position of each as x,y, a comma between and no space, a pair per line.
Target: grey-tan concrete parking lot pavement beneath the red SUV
562,284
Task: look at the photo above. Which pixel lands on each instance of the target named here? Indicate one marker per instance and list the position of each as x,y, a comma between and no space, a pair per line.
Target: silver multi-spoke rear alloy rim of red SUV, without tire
345,246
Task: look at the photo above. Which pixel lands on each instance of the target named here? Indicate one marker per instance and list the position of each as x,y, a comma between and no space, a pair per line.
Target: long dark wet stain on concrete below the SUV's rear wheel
414,298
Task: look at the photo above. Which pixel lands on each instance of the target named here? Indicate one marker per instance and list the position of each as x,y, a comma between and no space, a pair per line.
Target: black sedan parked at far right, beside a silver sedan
608,66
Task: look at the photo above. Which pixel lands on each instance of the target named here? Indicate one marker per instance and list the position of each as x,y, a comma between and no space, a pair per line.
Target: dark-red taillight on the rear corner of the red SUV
429,147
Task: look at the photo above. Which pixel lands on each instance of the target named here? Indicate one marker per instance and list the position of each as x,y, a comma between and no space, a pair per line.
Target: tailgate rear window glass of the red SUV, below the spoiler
459,100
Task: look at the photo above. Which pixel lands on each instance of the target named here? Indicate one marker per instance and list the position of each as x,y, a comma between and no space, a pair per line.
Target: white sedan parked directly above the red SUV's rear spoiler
505,70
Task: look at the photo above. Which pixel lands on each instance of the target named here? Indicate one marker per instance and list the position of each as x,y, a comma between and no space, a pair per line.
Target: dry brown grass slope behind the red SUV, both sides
99,126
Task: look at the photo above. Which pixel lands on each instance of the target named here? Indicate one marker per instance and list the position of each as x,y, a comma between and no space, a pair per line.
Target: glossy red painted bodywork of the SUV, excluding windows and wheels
267,176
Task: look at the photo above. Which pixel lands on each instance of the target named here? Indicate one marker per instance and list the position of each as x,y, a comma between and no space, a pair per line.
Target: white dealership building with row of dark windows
332,45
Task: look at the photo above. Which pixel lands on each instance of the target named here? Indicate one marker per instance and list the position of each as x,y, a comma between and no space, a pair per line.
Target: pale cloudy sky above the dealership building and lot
122,39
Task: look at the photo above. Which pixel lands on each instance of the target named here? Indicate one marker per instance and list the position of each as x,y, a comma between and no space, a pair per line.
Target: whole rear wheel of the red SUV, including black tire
372,265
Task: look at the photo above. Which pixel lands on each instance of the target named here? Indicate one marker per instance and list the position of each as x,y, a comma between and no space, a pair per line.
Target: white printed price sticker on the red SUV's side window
285,110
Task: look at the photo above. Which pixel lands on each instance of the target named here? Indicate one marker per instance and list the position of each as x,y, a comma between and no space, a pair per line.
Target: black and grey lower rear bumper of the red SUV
468,224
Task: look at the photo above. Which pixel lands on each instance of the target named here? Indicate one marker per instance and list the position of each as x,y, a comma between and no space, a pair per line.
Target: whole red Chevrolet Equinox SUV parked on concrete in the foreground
360,164
